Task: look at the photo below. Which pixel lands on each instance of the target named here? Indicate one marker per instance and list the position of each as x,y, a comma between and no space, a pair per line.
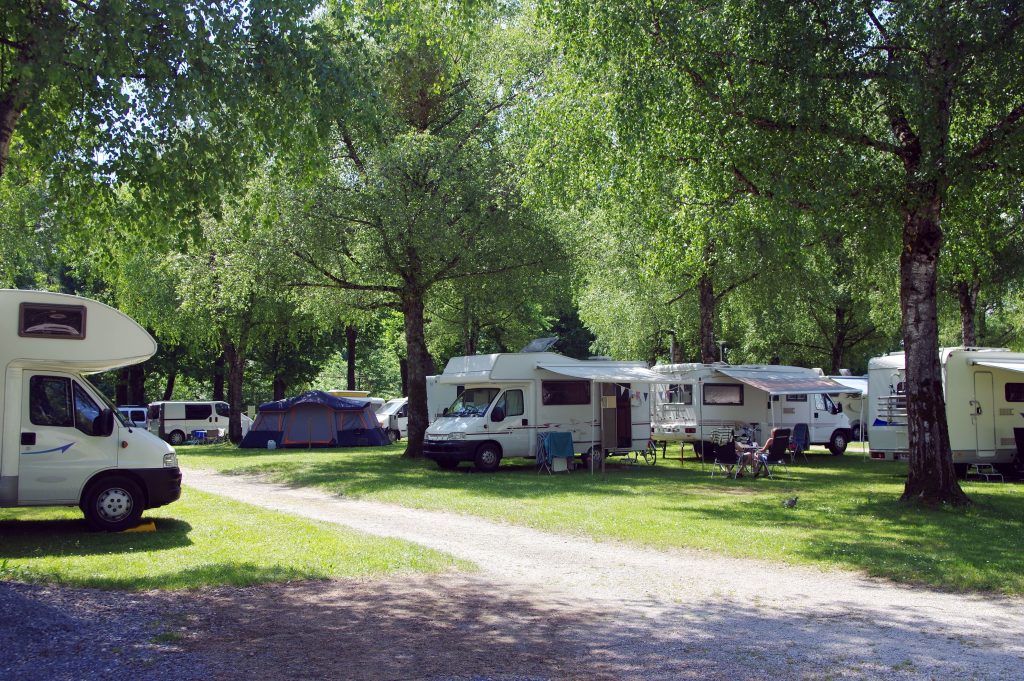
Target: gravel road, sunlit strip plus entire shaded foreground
542,607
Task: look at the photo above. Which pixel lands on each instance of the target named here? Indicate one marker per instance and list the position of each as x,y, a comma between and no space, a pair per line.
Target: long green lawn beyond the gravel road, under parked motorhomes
848,515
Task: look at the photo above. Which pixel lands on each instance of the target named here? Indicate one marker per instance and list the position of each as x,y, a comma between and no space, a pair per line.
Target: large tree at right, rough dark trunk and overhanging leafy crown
890,104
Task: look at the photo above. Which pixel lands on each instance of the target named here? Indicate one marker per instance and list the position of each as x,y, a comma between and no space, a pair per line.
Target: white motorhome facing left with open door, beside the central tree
509,399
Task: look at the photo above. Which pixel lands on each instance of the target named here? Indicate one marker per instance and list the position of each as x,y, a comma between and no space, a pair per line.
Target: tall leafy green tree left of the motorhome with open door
421,194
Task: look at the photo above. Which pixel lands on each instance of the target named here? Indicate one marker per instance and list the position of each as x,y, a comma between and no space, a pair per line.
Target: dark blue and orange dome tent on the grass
316,419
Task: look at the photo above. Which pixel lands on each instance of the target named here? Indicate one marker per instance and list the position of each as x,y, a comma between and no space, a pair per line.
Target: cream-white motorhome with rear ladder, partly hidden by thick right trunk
985,396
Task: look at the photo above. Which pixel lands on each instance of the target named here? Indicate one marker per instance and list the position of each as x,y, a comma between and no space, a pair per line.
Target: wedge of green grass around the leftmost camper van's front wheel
201,540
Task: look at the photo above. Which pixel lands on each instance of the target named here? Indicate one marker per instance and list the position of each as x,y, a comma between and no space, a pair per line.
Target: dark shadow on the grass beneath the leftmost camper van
39,539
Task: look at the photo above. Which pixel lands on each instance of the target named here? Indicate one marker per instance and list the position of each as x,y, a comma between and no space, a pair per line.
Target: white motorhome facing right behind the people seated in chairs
693,400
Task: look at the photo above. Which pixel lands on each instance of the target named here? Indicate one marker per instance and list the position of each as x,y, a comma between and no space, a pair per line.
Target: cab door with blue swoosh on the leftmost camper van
59,451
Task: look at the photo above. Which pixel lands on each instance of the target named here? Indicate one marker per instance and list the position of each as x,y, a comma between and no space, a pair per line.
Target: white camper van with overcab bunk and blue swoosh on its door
64,444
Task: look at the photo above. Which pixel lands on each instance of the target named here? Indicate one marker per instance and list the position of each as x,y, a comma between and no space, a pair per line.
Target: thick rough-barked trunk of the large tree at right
932,479
